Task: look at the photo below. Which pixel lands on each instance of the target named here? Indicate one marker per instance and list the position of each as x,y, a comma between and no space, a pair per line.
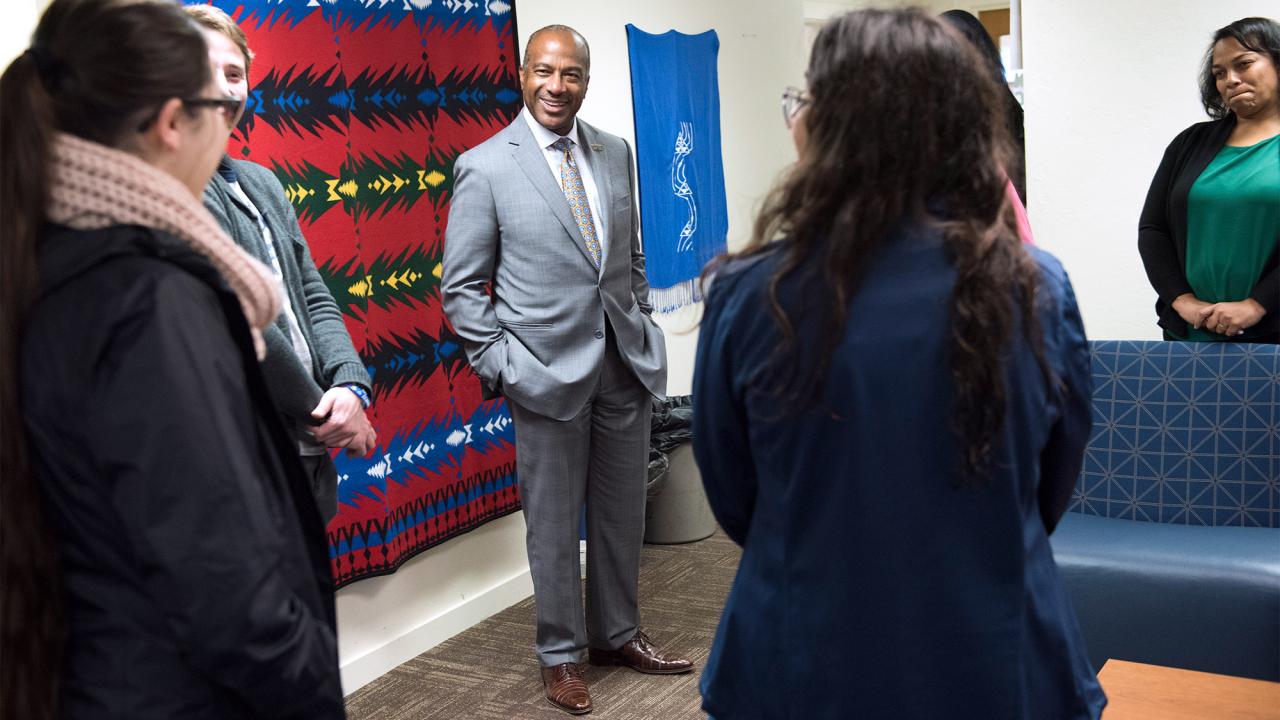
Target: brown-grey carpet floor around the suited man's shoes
490,672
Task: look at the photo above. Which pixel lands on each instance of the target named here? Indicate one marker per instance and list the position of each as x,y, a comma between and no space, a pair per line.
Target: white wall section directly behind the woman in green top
1108,85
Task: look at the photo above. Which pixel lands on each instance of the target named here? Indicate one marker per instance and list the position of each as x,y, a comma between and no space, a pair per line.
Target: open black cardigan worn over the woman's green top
1163,230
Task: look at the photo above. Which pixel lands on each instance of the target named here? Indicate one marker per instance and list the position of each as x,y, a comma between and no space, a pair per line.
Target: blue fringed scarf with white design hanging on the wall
684,217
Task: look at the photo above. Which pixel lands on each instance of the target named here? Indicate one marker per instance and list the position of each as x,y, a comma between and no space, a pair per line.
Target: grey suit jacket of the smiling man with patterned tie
541,338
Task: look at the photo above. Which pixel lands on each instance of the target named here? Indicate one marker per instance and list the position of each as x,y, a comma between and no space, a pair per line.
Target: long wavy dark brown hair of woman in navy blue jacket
904,125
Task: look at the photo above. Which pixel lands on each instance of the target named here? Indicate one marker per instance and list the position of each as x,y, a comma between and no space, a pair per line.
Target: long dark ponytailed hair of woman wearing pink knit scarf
95,70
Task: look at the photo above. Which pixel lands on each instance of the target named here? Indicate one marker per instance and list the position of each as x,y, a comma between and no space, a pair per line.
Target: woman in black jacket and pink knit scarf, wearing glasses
162,555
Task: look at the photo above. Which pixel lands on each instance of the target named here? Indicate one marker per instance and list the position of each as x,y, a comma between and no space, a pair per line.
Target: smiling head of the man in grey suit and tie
554,80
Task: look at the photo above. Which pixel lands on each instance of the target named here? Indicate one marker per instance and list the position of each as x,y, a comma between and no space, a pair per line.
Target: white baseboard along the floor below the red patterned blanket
359,672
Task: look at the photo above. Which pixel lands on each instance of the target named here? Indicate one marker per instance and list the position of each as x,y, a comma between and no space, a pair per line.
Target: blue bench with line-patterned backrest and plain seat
1172,546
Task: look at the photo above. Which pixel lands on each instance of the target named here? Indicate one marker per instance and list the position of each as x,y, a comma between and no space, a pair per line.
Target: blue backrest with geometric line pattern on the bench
1185,434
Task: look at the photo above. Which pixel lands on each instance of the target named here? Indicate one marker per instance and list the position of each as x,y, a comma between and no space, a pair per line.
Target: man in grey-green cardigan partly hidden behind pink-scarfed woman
313,371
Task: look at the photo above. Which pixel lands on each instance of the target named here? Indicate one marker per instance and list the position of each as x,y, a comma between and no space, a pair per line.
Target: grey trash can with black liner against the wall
676,511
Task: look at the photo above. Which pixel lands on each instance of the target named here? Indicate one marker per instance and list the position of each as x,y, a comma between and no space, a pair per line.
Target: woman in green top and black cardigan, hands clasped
1210,230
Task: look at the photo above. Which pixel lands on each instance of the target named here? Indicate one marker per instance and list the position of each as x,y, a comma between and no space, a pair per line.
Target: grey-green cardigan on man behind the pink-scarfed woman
295,389
